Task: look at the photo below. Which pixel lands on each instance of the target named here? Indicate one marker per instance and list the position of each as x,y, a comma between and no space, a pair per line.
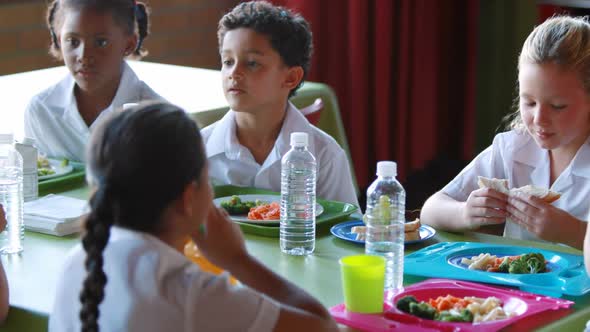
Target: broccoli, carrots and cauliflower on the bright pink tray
450,308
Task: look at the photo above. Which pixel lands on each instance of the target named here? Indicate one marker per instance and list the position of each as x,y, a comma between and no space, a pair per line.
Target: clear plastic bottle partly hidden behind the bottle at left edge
28,151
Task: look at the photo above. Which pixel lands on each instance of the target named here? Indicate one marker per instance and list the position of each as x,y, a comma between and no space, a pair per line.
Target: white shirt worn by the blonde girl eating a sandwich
518,158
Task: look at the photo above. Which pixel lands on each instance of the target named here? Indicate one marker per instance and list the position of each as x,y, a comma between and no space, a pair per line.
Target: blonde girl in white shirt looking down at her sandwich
549,147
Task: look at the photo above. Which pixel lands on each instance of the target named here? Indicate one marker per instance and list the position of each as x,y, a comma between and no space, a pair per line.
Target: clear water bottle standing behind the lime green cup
385,218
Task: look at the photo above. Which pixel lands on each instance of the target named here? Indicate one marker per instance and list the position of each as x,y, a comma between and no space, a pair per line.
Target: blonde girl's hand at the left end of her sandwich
485,207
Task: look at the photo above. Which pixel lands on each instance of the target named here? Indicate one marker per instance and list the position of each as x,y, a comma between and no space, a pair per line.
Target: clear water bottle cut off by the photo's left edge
11,194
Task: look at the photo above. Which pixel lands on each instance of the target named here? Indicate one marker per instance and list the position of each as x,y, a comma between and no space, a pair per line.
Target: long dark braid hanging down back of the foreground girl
98,226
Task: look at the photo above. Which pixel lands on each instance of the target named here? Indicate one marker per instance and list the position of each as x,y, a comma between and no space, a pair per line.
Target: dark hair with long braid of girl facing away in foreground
129,160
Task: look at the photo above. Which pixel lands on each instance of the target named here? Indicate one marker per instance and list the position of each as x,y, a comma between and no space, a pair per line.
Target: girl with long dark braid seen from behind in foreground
148,170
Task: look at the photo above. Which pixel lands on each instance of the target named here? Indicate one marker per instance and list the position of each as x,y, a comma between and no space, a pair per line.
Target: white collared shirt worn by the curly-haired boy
232,163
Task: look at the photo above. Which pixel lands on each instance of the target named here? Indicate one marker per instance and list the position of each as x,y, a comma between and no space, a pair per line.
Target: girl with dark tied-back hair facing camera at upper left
93,38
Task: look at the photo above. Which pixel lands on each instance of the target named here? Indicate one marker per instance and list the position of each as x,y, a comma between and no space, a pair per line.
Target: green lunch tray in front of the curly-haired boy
334,211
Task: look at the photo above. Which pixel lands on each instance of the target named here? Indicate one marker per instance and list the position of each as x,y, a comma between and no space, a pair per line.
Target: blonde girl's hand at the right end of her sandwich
545,220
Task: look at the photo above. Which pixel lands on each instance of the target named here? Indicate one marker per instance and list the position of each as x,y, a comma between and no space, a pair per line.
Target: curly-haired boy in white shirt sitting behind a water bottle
265,52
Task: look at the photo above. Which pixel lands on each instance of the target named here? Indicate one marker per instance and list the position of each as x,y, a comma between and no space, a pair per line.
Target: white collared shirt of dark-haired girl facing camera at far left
53,120
